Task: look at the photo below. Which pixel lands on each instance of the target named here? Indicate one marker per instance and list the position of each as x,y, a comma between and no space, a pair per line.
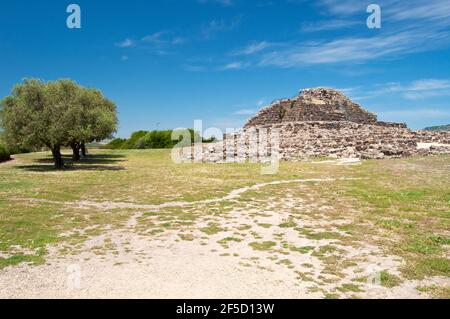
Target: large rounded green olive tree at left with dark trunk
55,114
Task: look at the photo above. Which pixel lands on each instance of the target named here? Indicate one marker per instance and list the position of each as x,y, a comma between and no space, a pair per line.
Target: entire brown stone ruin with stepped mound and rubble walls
320,122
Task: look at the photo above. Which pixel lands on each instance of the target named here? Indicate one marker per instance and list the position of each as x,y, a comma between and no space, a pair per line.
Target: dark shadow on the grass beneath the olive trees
95,162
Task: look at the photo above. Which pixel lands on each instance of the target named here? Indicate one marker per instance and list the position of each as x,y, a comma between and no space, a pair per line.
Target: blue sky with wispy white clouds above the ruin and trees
168,63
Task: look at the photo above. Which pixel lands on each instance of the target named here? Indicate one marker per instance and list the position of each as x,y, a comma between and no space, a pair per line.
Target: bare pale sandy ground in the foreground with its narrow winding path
137,265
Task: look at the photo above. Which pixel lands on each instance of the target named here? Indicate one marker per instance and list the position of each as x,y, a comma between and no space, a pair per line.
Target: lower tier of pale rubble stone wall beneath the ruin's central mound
300,140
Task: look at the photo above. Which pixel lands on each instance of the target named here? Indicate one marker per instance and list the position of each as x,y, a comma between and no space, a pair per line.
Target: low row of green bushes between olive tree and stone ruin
150,140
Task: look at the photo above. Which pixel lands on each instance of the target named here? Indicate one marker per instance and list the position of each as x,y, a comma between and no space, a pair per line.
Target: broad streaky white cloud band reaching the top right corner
414,26
